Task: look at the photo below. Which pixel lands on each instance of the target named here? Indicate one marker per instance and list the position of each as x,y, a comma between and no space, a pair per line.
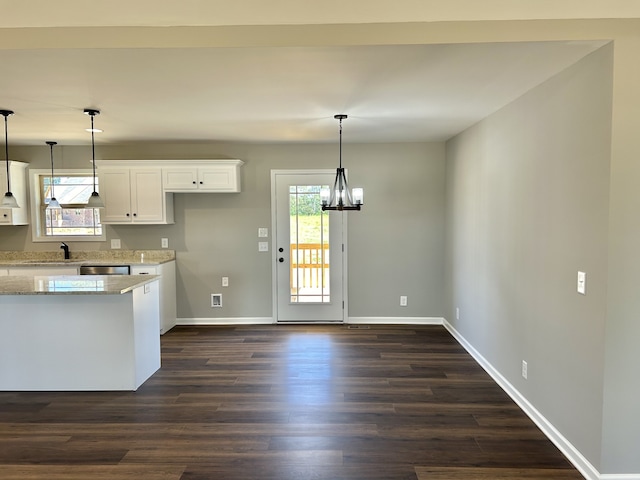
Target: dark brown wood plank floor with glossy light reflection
285,402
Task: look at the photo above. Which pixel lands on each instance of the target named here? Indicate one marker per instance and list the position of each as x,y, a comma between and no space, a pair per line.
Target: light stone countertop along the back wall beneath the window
90,257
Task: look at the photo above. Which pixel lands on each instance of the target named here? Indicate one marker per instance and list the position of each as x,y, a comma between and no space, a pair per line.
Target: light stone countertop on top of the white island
72,284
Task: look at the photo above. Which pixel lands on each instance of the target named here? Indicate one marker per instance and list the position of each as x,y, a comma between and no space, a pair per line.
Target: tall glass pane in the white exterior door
309,246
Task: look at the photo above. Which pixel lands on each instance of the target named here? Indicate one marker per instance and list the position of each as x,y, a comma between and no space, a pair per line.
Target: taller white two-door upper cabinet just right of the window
133,195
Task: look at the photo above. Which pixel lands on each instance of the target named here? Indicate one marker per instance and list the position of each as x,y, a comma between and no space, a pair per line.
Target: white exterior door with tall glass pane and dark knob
309,272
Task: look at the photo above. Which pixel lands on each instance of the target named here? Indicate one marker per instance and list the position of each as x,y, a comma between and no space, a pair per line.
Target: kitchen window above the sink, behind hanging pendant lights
74,221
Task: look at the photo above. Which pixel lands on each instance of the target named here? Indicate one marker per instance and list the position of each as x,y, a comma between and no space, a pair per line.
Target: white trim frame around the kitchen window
37,213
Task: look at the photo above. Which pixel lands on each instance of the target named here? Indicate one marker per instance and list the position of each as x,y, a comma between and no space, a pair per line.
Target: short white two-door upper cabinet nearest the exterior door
206,176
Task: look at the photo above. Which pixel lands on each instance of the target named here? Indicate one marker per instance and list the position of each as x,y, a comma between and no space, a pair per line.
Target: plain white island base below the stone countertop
79,342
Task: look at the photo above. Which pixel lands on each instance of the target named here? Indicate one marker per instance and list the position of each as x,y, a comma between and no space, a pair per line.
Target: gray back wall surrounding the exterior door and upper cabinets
215,235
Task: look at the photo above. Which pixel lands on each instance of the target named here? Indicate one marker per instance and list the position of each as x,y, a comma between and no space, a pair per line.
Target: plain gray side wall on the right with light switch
527,207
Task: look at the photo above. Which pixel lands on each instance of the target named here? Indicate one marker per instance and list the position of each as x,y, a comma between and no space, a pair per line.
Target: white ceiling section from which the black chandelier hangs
273,94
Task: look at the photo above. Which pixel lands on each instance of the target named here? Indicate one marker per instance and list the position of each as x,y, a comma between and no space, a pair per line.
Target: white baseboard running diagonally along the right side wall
573,454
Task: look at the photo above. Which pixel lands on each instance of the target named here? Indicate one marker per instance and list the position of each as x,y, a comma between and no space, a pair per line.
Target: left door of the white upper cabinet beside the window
115,191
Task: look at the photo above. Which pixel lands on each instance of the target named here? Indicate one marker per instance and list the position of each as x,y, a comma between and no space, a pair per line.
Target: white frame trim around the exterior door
274,249
